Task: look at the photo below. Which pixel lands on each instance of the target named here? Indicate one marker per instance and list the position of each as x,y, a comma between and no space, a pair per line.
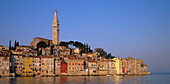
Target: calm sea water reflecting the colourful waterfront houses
140,79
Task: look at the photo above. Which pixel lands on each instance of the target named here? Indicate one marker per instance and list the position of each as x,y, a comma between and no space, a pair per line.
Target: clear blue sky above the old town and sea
136,28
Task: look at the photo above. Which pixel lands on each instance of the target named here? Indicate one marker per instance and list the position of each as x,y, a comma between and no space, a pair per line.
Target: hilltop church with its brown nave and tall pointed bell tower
43,42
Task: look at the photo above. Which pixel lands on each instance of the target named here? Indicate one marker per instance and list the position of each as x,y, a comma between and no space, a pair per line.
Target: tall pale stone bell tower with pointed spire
55,26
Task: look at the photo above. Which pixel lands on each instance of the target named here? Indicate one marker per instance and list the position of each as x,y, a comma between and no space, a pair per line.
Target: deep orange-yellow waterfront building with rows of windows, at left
27,66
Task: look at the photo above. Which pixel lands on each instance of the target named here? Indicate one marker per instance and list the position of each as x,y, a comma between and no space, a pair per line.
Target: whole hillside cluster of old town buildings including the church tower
61,60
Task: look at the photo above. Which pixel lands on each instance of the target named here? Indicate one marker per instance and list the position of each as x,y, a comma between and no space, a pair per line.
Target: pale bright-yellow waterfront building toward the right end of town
118,65
